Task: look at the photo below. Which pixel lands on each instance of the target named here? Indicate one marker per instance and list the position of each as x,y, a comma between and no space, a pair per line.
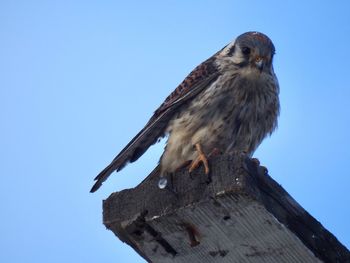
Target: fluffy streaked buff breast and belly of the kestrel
232,109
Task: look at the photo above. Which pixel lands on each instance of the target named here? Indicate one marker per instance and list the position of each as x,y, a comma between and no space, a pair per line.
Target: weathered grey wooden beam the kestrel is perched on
241,215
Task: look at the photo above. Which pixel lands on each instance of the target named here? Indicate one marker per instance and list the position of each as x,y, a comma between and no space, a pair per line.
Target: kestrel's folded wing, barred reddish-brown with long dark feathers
194,83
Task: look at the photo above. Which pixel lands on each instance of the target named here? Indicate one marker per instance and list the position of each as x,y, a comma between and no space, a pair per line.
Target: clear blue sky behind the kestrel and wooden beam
78,79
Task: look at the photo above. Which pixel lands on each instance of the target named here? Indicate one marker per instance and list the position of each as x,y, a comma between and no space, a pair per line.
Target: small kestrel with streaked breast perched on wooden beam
229,103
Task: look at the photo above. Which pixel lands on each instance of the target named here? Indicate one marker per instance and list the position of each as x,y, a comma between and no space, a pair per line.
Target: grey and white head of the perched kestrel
252,49
